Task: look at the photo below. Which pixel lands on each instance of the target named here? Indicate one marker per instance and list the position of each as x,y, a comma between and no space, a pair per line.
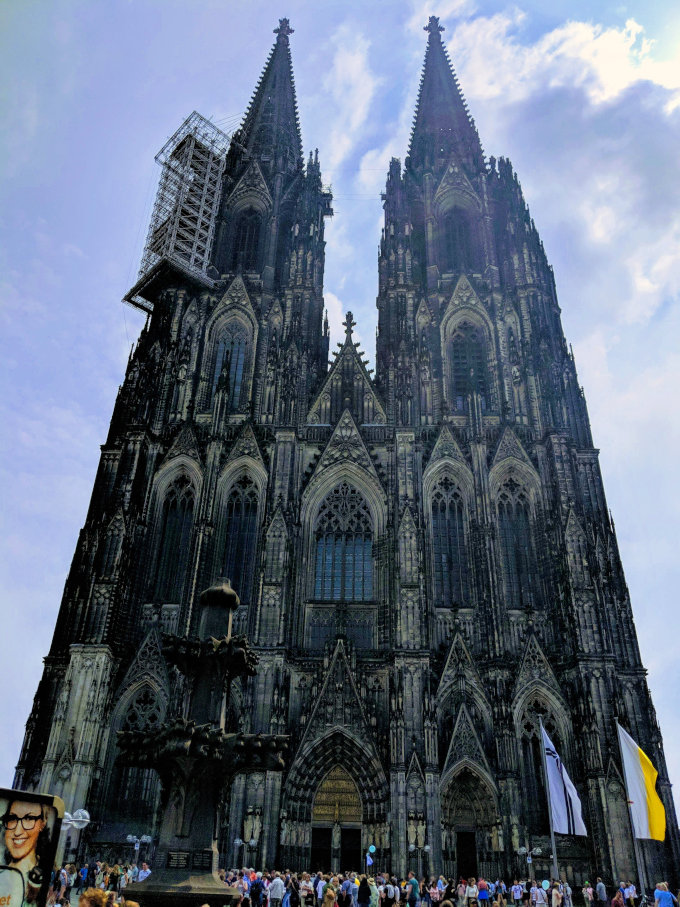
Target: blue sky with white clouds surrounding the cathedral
584,98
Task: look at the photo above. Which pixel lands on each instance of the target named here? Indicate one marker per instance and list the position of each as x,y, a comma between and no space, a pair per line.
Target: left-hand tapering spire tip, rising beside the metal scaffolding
271,127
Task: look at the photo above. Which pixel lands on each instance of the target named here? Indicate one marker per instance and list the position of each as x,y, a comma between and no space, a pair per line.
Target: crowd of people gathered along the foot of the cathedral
101,885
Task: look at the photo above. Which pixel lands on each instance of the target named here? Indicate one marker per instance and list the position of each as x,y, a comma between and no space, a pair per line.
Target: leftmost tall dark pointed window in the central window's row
174,547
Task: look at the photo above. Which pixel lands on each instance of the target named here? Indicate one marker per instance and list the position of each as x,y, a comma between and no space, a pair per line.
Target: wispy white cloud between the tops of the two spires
351,84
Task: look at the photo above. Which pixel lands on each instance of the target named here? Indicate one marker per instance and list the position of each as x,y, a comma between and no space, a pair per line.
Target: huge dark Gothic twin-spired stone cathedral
424,556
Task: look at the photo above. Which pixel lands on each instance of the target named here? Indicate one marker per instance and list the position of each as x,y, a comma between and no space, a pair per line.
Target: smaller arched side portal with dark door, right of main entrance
471,835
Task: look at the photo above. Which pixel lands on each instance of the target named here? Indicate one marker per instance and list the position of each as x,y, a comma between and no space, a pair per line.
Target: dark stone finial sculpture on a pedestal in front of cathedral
196,757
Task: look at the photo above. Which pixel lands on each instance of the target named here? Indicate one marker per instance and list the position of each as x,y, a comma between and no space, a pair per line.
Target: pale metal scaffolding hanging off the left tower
185,212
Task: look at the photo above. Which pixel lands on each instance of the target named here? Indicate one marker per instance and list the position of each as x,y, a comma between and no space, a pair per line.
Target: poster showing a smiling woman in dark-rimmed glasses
30,833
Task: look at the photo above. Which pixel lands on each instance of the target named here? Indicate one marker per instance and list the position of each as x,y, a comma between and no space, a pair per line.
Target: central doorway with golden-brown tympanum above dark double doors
336,822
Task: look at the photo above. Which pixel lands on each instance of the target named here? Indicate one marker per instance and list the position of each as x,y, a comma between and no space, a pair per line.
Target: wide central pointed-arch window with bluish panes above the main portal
344,547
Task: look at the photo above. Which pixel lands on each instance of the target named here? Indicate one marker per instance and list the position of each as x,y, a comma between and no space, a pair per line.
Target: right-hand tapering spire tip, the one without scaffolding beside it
442,124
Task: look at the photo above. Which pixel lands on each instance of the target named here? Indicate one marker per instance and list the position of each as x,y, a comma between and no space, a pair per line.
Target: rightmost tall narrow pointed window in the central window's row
518,558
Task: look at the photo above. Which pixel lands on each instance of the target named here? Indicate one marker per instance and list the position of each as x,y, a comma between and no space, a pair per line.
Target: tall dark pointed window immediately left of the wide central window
236,560
